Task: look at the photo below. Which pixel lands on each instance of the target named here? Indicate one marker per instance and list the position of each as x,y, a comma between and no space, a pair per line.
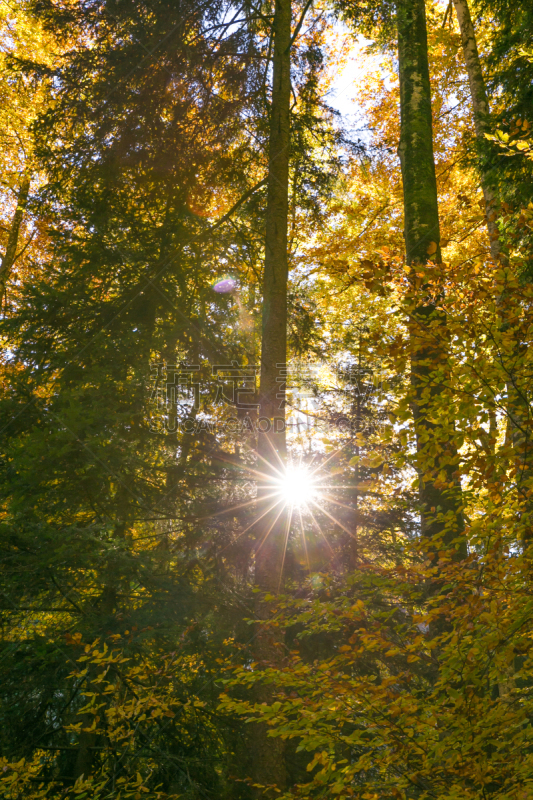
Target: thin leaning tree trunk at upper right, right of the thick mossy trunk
481,109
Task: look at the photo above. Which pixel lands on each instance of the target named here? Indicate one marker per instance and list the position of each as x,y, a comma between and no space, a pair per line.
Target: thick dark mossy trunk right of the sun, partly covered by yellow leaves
440,493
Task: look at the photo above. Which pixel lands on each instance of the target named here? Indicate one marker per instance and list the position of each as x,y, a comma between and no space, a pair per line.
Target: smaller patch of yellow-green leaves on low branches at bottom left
123,705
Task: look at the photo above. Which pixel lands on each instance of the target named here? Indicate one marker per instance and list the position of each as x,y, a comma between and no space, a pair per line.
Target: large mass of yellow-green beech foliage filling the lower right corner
435,701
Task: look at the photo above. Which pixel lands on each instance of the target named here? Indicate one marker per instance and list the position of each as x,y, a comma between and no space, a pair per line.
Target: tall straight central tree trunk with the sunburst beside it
269,765
